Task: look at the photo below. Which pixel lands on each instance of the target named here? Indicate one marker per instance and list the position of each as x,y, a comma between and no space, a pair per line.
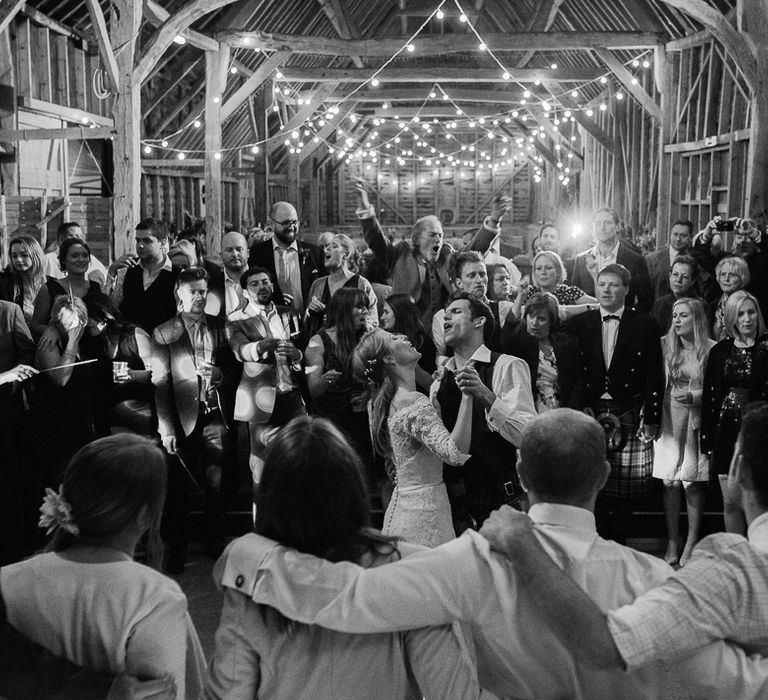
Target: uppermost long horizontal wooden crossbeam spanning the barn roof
436,44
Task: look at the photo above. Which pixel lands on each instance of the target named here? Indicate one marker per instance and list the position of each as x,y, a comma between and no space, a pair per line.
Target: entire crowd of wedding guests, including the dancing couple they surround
433,381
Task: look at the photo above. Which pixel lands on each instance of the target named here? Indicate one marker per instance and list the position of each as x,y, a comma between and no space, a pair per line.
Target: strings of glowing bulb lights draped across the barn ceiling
300,136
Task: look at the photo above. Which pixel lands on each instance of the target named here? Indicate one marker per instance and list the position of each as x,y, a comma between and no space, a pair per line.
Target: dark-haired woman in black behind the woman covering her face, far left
74,259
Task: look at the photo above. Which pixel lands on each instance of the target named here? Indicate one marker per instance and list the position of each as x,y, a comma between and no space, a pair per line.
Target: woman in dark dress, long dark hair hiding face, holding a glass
127,388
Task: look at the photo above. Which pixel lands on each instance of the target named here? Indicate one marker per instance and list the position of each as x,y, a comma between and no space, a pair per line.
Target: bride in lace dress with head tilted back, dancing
407,429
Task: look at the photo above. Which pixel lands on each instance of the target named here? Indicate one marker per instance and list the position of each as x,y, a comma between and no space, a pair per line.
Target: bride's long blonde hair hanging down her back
369,367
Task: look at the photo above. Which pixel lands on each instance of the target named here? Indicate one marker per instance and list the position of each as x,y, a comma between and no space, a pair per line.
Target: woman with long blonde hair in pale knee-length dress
677,458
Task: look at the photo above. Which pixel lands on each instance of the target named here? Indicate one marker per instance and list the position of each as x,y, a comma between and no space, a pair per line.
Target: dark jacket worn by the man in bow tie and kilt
637,368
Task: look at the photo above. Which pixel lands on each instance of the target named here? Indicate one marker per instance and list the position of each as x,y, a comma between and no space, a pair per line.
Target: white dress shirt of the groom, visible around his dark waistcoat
513,407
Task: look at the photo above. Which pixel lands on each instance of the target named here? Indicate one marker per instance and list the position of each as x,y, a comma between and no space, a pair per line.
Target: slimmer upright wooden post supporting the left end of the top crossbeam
216,65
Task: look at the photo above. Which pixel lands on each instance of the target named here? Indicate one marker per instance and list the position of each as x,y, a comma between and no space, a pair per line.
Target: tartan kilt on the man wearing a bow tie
632,465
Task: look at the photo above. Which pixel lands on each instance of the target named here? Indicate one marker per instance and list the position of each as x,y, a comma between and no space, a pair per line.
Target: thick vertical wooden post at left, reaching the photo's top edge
126,21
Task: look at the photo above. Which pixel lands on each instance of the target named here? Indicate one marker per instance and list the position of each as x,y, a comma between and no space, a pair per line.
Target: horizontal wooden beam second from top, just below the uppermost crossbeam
447,74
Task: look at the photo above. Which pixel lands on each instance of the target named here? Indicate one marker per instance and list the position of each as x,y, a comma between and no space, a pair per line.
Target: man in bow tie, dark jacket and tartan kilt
622,360
